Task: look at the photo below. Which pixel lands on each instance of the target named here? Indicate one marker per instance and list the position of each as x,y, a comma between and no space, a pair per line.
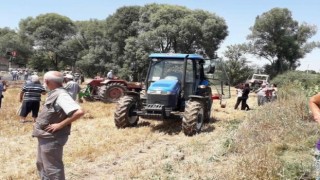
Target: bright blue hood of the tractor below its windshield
164,86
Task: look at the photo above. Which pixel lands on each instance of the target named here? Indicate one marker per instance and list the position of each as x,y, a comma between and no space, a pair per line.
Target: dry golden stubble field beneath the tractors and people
229,147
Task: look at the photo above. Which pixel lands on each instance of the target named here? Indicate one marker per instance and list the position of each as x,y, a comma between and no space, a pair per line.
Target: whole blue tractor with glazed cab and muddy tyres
176,86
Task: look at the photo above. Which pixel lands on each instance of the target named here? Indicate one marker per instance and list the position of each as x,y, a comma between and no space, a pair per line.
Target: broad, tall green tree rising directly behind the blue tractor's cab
167,28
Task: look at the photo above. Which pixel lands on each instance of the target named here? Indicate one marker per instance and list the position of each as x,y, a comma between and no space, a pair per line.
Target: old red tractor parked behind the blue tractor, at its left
108,90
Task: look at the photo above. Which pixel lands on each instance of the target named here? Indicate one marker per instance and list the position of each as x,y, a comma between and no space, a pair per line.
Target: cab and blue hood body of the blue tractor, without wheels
172,78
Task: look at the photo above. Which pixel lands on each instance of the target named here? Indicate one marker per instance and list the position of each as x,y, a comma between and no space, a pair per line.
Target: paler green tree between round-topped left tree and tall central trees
94,54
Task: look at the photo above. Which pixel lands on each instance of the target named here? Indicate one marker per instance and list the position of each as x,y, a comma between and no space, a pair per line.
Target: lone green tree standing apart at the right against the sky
277,37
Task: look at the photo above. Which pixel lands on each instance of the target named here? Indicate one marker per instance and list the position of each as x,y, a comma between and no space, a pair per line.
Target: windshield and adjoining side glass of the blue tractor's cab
169,69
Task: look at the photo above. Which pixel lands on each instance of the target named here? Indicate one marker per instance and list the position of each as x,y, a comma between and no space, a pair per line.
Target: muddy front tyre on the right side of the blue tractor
193,118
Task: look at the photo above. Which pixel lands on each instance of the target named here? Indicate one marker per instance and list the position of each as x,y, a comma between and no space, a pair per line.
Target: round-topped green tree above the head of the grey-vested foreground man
48,32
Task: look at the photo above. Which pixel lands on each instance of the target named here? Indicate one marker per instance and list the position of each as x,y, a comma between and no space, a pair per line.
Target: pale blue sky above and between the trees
238,14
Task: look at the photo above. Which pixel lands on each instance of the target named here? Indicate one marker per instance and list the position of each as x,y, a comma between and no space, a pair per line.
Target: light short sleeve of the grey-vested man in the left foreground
67,104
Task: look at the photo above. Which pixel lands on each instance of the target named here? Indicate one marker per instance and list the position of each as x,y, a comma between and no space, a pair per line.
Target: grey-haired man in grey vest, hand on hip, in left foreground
53,125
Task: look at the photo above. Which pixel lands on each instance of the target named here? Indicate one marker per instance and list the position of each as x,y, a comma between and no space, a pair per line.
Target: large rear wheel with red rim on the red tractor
112,92
